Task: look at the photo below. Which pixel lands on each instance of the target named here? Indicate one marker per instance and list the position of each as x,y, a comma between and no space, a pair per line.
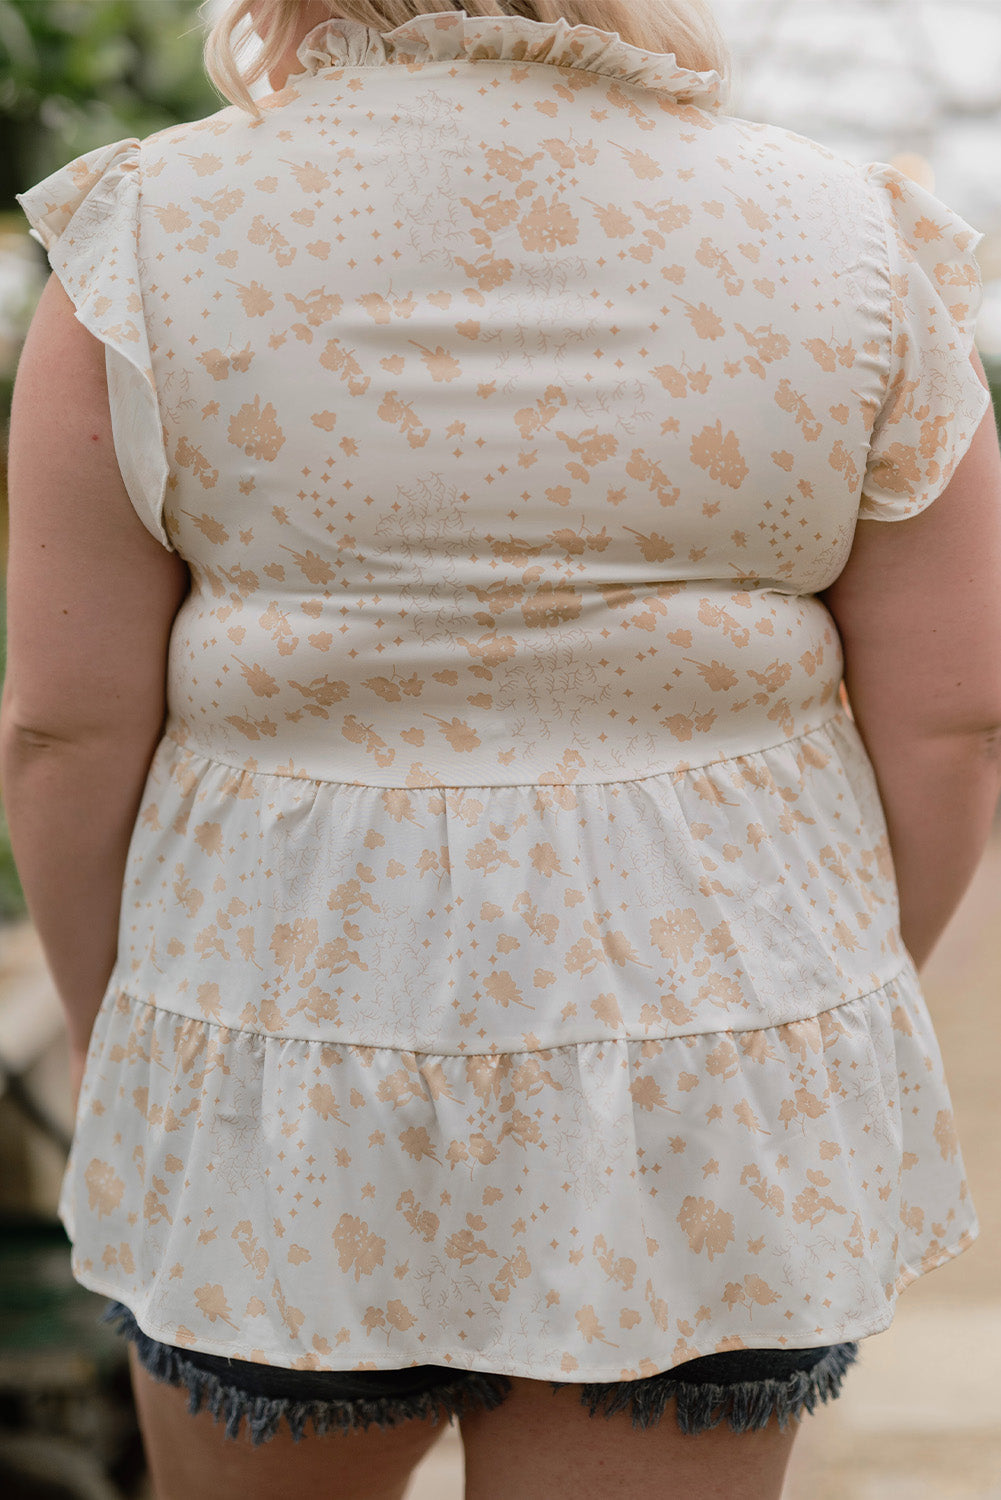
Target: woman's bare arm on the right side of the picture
919,613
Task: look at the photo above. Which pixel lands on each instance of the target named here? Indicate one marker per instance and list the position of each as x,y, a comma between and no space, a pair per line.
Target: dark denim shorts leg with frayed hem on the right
747,1405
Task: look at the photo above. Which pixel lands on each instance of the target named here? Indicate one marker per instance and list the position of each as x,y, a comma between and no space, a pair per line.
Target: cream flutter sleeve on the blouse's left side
88,218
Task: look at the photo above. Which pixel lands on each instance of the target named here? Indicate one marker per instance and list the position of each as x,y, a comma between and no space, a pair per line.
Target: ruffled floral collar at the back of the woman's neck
454,35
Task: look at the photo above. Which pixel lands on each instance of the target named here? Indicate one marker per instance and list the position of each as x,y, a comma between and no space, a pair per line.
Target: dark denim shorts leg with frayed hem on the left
227,1403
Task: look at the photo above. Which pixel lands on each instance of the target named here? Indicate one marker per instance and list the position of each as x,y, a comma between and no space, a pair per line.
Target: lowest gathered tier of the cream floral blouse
526,1219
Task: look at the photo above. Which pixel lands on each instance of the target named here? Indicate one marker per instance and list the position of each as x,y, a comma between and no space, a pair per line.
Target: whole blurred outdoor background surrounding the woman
916,83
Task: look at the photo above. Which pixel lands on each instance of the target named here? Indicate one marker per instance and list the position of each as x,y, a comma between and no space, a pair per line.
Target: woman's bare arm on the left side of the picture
92,598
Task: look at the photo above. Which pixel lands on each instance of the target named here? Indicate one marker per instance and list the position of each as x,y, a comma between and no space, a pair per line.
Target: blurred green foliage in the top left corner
83,73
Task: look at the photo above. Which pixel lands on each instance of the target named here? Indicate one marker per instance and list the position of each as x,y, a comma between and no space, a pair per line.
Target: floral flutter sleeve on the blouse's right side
934,400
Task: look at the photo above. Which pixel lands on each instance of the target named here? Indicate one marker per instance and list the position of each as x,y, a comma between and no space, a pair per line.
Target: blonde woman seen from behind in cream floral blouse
440,503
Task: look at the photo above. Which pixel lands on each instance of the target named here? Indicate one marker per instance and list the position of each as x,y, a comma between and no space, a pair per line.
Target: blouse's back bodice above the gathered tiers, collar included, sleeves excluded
528,371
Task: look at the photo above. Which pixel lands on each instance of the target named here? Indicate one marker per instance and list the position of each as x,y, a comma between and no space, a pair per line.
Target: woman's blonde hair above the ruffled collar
684,28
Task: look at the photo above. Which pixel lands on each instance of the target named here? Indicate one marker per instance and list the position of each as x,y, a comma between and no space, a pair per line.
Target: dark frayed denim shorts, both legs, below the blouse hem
748,1387
